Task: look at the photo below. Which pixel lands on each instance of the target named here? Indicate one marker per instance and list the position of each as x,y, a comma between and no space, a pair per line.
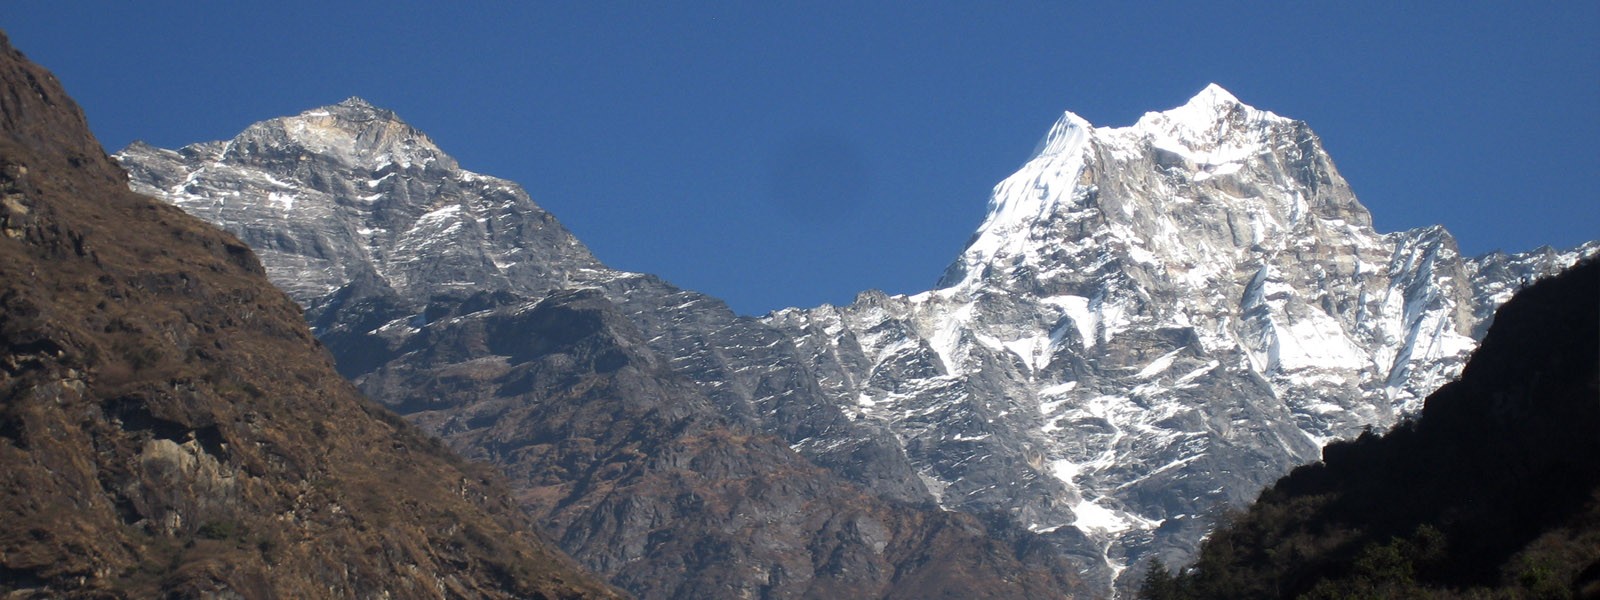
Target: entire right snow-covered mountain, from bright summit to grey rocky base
1151,322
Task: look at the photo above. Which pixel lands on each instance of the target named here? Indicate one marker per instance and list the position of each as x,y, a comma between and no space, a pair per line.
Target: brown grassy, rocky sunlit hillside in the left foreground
170,428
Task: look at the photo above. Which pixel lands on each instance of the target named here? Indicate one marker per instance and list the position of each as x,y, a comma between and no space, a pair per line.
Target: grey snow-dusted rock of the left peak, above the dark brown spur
374,230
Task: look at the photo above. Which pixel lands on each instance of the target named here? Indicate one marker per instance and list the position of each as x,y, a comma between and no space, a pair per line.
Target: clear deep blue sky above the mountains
793,154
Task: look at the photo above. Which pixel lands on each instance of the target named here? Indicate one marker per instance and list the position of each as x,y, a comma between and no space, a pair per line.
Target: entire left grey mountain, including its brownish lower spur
652,430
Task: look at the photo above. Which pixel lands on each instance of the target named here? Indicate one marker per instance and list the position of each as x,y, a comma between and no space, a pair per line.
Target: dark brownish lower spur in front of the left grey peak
642,476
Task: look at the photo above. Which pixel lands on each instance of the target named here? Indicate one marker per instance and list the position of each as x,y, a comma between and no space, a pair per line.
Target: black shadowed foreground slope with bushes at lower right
1492,492
